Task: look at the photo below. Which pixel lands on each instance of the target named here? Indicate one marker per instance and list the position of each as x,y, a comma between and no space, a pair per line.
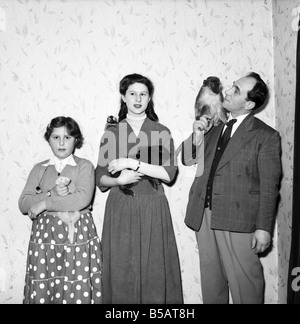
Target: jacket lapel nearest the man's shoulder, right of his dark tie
243,134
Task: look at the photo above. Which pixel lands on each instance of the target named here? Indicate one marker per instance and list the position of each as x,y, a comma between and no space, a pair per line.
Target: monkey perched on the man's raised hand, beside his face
209,101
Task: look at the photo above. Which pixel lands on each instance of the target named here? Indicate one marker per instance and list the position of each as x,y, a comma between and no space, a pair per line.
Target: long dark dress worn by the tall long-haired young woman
140,257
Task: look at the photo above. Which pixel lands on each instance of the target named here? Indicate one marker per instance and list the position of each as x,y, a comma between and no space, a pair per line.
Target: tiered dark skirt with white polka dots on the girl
59,272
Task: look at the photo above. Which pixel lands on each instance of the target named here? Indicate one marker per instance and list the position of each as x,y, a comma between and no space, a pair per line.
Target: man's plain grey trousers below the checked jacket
228,263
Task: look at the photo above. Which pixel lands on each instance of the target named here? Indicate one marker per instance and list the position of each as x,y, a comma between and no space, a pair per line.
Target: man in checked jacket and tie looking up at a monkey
232,205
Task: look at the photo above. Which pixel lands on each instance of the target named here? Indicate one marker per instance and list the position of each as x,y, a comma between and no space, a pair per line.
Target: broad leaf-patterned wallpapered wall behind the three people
66,57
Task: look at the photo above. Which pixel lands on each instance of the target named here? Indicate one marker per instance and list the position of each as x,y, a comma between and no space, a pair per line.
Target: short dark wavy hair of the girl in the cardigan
71,126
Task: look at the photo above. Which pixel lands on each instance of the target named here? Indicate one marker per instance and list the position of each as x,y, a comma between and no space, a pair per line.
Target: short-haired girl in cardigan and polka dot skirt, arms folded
64,257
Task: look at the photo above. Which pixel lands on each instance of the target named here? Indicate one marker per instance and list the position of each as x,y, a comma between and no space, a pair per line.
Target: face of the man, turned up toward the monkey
236,98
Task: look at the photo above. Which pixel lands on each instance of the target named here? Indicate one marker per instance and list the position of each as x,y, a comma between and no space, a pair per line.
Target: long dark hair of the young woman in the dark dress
125,83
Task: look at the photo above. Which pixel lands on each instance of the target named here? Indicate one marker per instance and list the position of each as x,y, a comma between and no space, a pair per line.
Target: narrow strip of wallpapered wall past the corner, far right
285,42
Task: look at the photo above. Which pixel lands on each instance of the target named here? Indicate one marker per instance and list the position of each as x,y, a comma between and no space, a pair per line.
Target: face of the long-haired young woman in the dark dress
137,99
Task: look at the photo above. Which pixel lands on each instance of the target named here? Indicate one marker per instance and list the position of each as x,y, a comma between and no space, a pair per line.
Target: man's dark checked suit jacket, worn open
246,183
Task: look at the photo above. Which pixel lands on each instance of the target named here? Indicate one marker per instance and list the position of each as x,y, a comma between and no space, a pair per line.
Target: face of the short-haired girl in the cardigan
62,144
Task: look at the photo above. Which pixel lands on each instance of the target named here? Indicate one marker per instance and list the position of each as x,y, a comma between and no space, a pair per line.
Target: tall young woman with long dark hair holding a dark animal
140,257
